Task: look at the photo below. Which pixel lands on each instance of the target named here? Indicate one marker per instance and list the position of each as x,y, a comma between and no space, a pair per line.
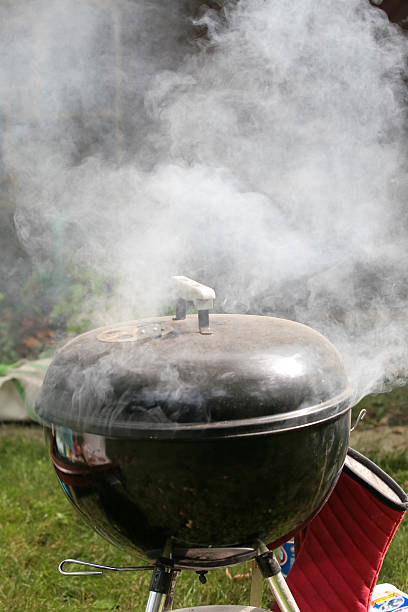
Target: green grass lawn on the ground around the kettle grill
38,528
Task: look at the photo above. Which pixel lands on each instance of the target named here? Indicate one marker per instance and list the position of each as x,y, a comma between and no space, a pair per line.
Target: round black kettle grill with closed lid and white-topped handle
192,439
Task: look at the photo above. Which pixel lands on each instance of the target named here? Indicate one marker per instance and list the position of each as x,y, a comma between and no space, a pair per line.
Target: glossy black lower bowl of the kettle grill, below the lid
209,500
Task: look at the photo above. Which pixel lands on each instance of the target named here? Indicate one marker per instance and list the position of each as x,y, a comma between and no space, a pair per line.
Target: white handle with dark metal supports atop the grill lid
188,290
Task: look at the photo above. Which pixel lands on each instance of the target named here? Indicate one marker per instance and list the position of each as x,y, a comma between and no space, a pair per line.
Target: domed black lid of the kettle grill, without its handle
161,377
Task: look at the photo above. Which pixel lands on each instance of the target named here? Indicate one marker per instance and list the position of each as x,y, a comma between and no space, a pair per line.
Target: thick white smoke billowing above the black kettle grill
266,158
